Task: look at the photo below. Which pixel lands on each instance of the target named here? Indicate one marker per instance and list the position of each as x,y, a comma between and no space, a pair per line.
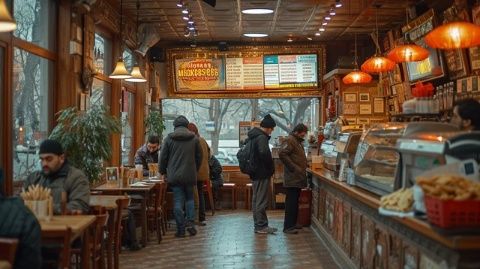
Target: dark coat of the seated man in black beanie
68,179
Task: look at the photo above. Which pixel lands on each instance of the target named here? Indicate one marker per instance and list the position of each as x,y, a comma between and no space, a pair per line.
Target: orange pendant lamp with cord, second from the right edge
408,52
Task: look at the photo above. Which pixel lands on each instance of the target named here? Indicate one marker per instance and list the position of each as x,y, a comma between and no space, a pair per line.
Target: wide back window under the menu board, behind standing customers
218,119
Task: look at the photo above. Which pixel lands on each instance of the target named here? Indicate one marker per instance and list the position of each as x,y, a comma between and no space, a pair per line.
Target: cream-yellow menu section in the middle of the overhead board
244,73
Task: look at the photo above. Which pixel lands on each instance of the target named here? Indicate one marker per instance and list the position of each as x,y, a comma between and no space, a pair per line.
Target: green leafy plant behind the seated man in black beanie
85,136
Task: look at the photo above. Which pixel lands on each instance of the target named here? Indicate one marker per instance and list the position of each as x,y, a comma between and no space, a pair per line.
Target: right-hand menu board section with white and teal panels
290,71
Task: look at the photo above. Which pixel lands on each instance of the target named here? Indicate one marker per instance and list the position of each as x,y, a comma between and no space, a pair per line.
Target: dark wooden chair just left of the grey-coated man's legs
155,210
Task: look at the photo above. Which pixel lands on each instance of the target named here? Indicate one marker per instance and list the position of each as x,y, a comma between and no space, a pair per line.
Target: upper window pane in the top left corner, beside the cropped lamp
36,22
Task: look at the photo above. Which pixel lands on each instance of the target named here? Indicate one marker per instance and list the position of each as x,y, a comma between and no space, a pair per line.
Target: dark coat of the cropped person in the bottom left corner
18,222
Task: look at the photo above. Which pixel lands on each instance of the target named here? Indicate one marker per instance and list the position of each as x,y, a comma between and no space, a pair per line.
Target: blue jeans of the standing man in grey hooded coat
183,195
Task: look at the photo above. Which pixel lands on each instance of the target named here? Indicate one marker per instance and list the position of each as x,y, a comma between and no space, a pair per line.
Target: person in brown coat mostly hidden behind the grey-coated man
202,175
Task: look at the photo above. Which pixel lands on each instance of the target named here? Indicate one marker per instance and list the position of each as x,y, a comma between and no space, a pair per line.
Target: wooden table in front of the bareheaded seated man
142,191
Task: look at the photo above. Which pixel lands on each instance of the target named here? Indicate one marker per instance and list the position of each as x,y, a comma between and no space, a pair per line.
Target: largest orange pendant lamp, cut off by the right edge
454,35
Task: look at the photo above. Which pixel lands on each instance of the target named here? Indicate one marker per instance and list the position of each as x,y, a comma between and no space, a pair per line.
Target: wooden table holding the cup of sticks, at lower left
79,226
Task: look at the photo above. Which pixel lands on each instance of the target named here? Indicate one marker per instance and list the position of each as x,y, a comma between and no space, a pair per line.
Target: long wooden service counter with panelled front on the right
347,217
